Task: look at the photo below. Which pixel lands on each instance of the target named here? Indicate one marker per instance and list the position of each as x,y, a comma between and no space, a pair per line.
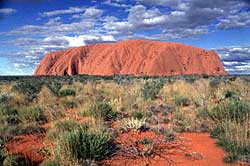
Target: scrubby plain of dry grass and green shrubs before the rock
83,116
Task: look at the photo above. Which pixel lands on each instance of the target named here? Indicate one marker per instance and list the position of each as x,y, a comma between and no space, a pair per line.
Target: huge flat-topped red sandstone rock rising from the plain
137,57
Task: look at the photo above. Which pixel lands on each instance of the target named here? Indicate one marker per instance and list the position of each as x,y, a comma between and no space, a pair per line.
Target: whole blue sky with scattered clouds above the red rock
31,28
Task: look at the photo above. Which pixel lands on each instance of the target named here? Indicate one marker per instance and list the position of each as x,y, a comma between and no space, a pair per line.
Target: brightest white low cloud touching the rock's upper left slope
33,50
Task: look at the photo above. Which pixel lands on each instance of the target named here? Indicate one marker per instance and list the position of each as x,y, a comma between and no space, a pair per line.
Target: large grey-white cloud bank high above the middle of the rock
171,25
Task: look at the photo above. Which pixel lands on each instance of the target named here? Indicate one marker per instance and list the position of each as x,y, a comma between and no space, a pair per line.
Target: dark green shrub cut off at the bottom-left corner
15,160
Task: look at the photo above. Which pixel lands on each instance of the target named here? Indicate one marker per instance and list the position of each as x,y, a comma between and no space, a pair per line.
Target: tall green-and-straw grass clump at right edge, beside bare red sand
232,129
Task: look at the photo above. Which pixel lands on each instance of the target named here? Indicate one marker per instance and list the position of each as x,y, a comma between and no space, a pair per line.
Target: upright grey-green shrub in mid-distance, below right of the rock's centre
151,89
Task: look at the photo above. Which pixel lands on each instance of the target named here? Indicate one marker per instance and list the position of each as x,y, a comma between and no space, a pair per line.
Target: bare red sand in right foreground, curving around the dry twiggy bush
195,149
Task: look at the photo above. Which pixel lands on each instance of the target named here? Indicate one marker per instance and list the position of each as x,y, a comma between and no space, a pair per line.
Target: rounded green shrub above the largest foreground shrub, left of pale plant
103,110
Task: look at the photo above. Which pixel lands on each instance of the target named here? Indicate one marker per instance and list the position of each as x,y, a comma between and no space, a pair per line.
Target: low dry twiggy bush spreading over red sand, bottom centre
147,148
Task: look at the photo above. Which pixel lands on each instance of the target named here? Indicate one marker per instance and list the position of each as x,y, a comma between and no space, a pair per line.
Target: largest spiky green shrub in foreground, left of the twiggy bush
85,144
